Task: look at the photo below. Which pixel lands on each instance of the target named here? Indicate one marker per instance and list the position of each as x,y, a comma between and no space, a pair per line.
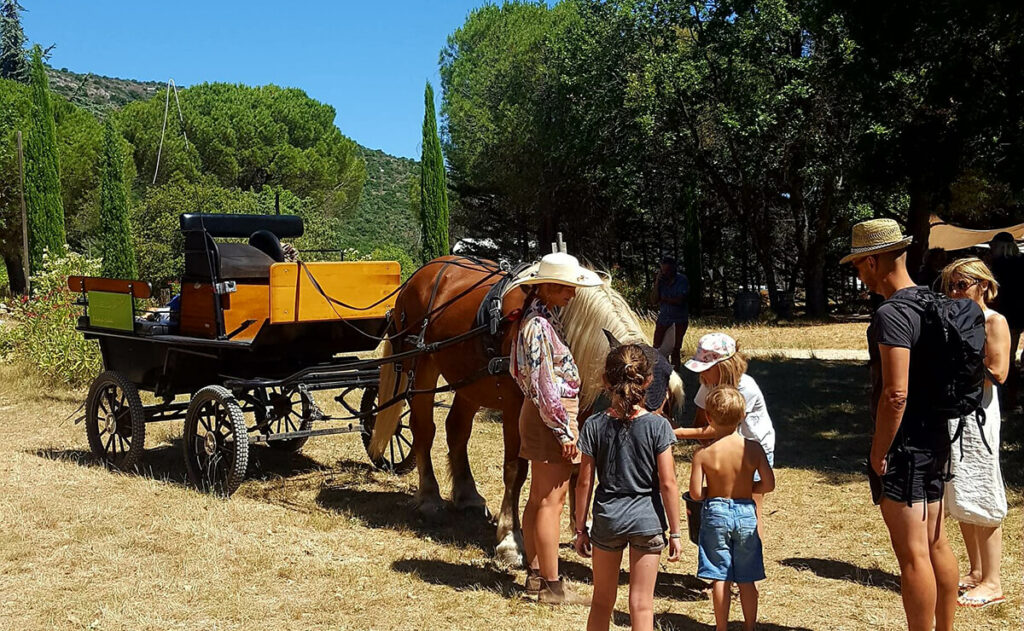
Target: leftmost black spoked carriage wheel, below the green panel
115,422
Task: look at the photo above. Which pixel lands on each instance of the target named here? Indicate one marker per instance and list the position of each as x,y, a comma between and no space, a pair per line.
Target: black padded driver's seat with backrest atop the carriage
205,259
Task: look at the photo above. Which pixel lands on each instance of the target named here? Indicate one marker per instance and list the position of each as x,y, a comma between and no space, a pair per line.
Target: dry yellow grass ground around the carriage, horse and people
322,541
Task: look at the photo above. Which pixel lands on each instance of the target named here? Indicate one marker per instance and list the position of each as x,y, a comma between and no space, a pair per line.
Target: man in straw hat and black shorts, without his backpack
909,457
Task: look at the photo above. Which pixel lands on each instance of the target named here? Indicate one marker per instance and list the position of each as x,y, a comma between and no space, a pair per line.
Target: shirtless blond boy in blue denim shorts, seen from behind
722,475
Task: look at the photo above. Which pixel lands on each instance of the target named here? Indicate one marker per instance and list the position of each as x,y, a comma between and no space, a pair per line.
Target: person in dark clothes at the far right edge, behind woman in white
1008,268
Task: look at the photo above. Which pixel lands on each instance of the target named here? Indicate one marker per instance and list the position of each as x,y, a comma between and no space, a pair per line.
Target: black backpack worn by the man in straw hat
950,362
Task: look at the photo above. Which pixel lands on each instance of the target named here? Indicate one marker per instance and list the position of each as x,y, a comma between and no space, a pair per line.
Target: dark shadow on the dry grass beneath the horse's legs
397,511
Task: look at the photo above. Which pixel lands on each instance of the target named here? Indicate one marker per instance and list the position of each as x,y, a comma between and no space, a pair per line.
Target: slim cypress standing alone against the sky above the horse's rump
434,192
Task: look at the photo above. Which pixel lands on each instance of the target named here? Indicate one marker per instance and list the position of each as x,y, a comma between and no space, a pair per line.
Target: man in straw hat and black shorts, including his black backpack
925,359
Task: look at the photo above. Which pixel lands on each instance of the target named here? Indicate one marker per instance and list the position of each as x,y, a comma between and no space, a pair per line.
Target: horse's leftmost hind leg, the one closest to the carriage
429,498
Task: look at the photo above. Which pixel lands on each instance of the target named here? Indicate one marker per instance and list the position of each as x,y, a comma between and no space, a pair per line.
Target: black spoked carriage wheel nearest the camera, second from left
217,445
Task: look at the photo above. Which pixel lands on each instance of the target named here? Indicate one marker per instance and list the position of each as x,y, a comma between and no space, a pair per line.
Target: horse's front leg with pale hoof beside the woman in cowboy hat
511,550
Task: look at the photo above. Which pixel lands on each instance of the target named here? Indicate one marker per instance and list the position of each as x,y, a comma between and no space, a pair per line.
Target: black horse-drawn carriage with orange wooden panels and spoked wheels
249,341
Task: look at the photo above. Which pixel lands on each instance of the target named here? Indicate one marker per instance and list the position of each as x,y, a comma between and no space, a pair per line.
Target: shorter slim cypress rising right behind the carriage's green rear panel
119,256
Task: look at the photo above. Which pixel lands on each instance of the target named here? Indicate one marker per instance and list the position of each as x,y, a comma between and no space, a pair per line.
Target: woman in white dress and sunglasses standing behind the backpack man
976,496
